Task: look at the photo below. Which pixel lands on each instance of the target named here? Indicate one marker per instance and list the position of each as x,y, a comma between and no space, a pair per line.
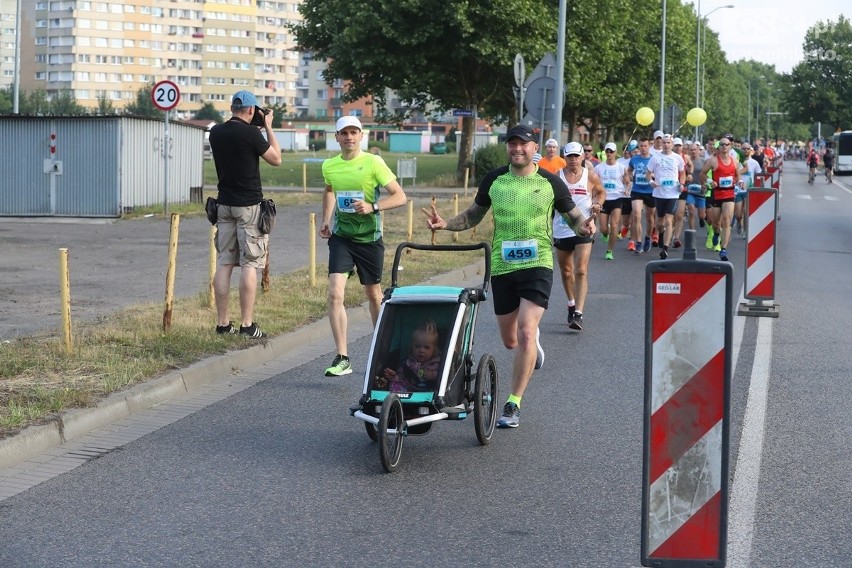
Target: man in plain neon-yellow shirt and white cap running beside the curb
352,223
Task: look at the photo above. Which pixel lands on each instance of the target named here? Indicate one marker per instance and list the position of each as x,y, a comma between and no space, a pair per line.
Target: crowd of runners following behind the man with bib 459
647,194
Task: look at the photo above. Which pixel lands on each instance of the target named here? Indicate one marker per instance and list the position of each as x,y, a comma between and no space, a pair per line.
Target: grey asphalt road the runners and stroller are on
280,475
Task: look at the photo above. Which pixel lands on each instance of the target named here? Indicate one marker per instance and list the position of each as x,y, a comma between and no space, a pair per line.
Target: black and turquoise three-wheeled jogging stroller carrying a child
421,363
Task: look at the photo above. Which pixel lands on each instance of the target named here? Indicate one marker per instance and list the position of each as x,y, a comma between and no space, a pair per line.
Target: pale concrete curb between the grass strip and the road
75,423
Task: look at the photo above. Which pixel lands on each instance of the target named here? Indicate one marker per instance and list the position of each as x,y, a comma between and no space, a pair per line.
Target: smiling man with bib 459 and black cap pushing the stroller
522,198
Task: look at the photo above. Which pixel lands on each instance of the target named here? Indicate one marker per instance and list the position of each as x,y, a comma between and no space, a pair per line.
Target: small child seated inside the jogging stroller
420,368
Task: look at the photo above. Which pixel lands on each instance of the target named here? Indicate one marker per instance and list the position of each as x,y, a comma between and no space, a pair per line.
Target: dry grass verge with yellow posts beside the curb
38,380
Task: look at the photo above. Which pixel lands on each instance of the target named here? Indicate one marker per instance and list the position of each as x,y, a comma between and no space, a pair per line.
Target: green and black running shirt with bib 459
522,208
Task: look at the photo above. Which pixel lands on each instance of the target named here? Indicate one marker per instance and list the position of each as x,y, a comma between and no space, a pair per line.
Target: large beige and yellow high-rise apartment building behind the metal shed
209,48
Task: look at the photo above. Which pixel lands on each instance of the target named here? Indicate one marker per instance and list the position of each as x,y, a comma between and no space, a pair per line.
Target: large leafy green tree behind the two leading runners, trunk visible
462,58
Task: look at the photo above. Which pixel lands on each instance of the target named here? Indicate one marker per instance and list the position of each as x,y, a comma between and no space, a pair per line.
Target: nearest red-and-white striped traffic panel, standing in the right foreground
687,411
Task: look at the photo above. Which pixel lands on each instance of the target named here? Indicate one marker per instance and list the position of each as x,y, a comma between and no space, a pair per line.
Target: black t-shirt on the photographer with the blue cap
237,147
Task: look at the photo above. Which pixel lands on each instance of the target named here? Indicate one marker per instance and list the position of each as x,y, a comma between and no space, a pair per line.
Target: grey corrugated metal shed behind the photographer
95,166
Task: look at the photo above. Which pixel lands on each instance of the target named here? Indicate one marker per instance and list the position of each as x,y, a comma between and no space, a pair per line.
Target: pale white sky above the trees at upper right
770,31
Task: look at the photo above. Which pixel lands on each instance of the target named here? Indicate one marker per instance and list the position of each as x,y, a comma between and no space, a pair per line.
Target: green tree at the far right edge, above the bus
818,89
